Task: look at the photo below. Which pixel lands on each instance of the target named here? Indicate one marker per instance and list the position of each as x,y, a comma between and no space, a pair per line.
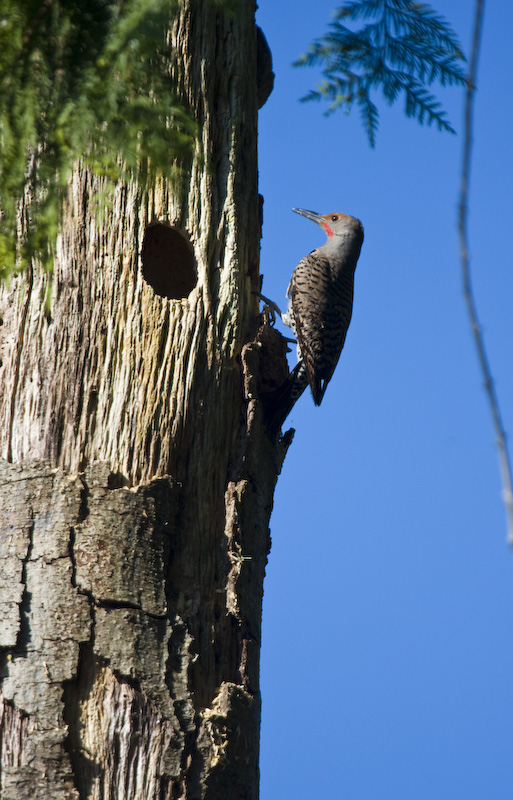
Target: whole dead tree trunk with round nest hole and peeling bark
137,479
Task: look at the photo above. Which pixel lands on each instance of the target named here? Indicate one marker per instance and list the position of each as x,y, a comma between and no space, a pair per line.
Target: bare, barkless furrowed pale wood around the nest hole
115,372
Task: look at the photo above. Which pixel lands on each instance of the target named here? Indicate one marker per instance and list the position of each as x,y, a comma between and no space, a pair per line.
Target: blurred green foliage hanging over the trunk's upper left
86,79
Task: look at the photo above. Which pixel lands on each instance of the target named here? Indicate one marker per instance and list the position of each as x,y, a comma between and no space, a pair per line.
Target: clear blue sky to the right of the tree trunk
387,655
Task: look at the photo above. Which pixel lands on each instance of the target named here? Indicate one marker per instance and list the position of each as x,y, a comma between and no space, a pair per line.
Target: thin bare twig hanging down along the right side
505,464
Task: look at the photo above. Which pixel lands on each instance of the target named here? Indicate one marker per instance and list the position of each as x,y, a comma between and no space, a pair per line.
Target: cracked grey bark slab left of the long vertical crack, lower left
38,507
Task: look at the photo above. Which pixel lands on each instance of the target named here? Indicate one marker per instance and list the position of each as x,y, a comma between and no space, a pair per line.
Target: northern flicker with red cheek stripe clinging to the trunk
320,296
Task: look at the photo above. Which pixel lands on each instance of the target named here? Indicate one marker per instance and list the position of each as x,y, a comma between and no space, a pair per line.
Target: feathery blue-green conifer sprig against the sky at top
403,48
